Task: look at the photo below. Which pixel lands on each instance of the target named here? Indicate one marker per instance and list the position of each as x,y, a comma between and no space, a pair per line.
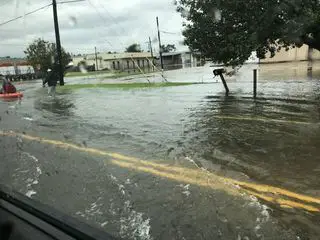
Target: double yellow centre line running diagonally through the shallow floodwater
192,176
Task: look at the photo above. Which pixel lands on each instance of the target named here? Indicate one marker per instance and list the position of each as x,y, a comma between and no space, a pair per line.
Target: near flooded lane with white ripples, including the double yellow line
140,199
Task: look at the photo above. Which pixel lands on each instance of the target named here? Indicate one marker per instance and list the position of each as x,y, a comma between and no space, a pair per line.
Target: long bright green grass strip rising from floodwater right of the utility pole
123,86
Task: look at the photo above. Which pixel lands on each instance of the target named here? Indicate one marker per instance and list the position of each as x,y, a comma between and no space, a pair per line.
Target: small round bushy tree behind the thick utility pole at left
41,52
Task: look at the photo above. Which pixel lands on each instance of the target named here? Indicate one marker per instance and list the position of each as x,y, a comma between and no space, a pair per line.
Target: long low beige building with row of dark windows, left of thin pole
117,61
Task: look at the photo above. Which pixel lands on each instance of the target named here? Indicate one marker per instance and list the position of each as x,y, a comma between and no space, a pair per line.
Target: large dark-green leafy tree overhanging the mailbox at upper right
228,31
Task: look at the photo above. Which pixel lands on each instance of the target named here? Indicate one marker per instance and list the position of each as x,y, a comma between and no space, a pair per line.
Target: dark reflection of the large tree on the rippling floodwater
260,148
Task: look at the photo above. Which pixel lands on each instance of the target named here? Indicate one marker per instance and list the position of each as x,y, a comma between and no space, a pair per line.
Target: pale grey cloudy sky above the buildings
110,25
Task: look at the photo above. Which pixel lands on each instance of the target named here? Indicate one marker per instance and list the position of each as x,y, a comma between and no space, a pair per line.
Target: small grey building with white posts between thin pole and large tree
176,60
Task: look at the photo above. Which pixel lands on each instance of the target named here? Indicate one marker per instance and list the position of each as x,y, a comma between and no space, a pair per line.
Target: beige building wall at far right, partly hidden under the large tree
294,54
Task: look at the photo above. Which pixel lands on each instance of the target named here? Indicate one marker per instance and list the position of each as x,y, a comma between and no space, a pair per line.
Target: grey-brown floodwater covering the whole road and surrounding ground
181,162
